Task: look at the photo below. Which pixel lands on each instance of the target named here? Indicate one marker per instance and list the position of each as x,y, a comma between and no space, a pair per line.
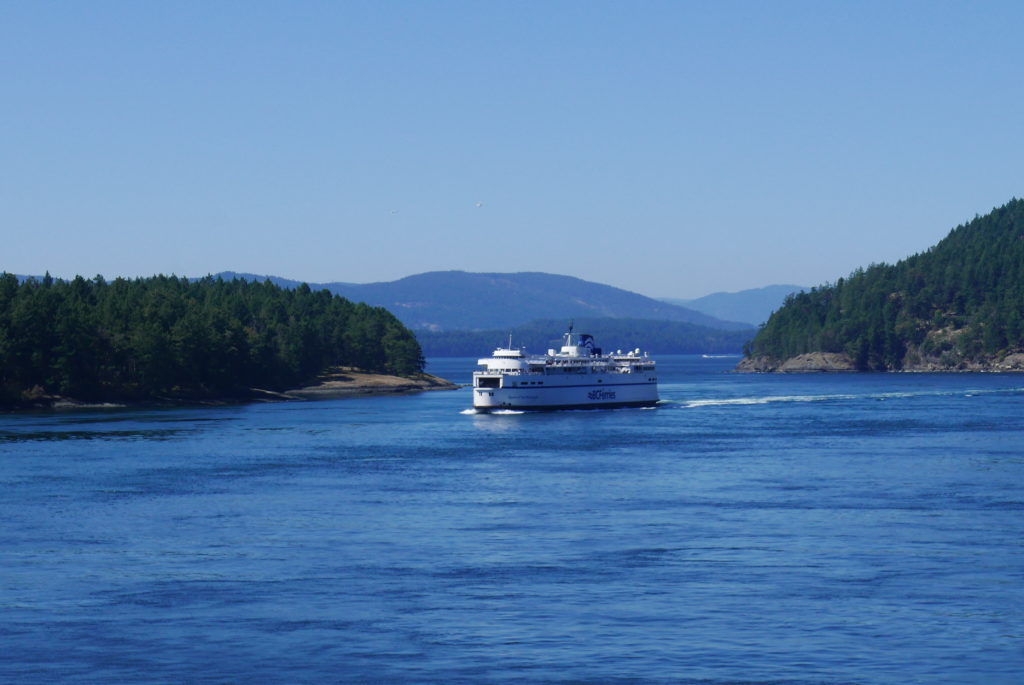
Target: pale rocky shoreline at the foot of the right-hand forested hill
819,363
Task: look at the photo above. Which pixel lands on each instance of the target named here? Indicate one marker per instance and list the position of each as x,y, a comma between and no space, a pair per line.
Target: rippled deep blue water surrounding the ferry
863,529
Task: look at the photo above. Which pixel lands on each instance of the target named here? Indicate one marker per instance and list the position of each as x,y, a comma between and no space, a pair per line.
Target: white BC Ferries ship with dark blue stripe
577,377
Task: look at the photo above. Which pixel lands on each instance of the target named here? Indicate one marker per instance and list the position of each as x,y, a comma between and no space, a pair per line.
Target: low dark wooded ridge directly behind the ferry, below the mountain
657,337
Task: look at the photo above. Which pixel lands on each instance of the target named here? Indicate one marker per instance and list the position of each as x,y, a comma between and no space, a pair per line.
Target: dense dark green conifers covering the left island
169,336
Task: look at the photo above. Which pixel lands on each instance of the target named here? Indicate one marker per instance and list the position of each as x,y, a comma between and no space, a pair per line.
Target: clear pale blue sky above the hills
673,149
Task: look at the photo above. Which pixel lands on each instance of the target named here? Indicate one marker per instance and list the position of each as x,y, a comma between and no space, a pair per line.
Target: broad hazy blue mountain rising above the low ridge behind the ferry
461,301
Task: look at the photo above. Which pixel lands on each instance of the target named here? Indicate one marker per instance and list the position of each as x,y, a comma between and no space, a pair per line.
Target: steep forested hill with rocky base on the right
957,307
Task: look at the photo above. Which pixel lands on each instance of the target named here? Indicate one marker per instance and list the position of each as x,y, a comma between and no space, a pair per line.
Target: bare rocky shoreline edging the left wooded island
338,382
